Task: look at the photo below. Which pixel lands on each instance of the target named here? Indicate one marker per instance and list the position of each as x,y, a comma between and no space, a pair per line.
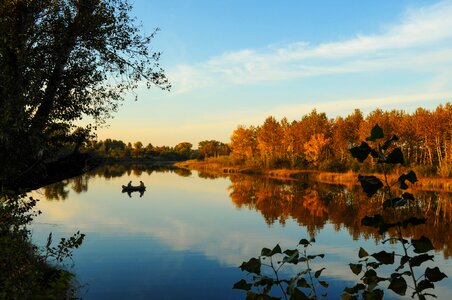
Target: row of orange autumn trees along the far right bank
316,142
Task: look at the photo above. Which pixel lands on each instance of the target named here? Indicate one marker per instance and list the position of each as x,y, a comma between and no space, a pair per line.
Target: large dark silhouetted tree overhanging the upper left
63,60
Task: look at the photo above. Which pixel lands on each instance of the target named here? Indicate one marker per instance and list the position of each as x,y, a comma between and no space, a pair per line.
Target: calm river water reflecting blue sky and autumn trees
185,237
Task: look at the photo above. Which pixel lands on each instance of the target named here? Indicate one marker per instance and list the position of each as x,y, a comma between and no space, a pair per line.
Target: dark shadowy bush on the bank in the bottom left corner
26,272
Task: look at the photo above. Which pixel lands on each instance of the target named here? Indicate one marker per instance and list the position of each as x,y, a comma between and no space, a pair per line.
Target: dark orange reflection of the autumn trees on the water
313,205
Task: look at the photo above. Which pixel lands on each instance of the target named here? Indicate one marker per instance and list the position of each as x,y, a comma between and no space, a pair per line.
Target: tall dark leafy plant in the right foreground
414,253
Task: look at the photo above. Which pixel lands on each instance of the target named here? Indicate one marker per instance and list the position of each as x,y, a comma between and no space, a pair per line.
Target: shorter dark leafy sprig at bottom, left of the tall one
303,285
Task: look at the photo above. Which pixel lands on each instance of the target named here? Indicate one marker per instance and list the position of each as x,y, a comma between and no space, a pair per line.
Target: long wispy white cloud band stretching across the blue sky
421,39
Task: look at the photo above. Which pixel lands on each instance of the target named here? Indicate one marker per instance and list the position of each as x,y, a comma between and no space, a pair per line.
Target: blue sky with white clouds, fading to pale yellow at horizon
234,62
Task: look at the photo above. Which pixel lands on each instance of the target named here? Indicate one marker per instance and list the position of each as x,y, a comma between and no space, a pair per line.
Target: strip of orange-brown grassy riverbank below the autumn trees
348,178
